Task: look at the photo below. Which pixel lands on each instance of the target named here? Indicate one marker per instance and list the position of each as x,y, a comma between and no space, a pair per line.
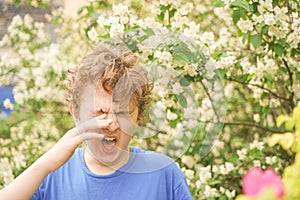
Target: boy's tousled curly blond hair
114,68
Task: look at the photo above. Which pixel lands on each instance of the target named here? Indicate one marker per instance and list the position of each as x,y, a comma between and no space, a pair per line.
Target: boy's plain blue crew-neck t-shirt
146,176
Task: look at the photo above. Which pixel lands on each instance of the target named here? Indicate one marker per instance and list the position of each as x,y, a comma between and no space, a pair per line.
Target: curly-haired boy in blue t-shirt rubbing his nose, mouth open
107,95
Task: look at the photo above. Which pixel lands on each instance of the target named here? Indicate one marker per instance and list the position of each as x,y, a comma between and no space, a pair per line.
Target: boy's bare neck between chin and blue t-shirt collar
100,168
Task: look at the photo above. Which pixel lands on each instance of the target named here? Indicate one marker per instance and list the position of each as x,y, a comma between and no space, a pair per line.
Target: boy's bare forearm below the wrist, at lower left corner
24,186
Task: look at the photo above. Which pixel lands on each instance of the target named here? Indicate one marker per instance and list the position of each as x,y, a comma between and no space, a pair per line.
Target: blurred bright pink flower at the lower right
257,180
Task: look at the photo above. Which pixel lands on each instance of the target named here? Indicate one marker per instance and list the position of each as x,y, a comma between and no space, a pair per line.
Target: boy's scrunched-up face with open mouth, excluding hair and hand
95,102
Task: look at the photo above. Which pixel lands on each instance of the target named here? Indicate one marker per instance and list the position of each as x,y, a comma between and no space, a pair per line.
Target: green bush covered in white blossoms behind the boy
238,58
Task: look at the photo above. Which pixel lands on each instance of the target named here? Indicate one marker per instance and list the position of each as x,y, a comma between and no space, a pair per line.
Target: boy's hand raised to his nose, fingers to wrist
65,147
